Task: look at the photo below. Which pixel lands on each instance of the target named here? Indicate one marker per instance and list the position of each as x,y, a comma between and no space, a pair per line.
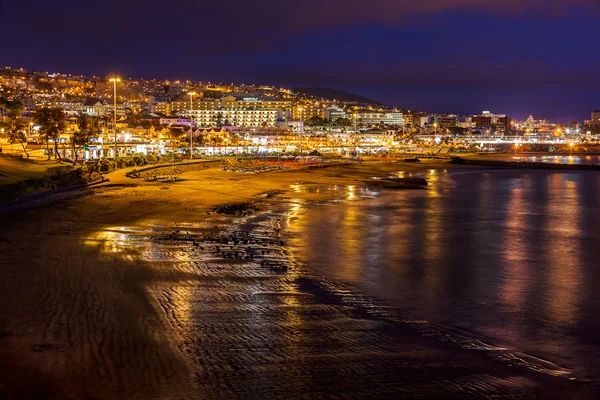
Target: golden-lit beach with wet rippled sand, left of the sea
142,290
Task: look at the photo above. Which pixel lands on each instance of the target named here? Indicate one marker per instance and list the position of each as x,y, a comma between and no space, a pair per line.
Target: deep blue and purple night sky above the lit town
506,56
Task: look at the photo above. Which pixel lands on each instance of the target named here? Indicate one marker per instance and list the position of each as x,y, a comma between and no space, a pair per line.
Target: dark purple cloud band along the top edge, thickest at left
234,25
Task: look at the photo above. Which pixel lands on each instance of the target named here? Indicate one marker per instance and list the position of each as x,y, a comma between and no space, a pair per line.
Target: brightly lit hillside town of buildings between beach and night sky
259,115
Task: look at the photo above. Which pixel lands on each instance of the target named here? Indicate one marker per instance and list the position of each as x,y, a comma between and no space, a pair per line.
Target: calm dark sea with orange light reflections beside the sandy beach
508,257
